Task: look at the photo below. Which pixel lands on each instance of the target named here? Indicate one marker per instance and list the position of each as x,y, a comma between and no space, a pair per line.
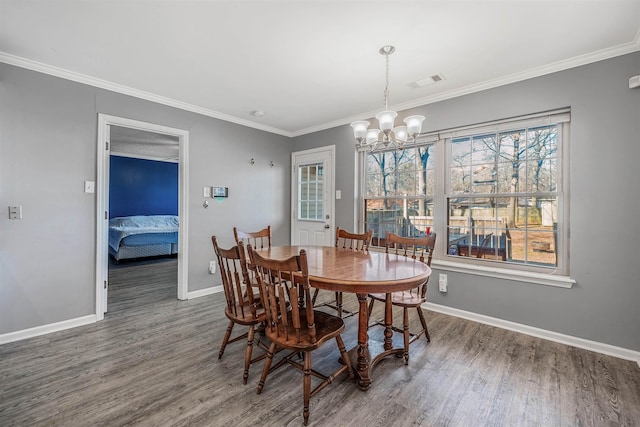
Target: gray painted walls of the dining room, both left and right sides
48,130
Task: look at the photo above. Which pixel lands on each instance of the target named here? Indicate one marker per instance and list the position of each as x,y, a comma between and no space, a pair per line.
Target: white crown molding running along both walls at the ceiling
603,54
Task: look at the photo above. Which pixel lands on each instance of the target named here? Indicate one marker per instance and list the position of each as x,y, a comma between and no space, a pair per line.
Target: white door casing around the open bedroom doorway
110,131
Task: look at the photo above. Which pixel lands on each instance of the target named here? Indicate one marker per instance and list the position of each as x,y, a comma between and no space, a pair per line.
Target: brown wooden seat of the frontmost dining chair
328,326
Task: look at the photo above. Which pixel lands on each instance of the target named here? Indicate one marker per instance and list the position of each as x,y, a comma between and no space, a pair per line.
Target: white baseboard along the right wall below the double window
622,353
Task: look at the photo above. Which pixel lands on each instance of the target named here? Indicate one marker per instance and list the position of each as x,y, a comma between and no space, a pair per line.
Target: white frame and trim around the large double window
558,276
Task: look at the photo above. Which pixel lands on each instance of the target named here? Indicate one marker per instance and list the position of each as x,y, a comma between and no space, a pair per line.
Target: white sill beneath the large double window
504,273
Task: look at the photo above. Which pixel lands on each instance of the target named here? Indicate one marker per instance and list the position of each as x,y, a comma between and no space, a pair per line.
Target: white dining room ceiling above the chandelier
309,65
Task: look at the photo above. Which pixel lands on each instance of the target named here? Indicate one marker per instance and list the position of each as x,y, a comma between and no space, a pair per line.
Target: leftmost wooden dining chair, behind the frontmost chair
242,307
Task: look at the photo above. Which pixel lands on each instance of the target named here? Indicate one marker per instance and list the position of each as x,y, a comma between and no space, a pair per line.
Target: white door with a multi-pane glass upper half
312,196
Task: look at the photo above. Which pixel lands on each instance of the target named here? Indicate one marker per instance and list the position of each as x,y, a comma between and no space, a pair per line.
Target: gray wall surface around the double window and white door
605,150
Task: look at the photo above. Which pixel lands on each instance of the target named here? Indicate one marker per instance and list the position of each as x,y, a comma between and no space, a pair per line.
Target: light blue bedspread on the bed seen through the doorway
121,227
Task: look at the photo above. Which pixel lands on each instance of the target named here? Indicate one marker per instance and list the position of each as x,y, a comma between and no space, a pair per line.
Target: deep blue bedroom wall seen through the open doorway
142,187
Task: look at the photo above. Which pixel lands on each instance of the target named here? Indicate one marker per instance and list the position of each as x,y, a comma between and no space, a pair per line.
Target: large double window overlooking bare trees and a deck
494,192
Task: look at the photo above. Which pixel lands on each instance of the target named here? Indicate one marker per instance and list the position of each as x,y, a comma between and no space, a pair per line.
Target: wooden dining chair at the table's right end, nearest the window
420,249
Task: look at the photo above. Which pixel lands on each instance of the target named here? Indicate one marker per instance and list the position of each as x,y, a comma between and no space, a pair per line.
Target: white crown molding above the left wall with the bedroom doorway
125,90
